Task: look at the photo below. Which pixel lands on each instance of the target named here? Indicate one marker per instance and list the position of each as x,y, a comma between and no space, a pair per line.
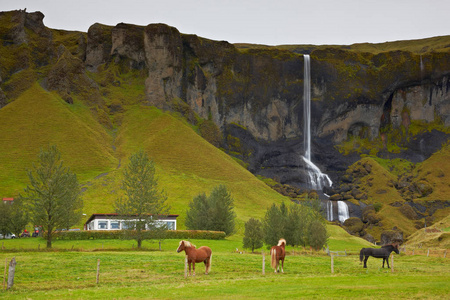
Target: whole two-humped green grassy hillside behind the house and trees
186,164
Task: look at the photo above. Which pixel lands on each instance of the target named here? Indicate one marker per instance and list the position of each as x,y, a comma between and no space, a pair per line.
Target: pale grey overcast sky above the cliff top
269,22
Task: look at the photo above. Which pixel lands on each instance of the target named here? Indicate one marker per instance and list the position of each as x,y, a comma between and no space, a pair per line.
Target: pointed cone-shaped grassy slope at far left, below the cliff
39,118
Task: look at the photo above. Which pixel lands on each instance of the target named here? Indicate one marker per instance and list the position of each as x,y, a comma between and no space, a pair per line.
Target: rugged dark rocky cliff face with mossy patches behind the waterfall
254,95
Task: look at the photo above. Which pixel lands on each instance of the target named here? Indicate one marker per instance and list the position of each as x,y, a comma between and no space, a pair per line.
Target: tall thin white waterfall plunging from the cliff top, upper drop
317,180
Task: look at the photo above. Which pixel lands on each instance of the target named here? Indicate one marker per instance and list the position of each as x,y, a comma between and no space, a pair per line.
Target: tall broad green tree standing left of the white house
53,194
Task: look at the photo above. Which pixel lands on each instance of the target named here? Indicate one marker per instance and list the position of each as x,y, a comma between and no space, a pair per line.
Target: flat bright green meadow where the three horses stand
69,272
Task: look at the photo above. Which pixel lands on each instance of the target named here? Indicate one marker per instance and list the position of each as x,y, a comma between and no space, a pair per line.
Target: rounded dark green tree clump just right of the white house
215,212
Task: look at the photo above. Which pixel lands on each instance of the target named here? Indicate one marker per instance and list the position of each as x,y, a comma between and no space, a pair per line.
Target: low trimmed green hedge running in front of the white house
148,235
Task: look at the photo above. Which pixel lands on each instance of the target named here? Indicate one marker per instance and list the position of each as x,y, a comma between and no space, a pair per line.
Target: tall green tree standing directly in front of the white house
143,203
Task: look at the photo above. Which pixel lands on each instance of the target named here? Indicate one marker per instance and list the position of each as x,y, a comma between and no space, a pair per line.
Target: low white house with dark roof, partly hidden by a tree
115,222
